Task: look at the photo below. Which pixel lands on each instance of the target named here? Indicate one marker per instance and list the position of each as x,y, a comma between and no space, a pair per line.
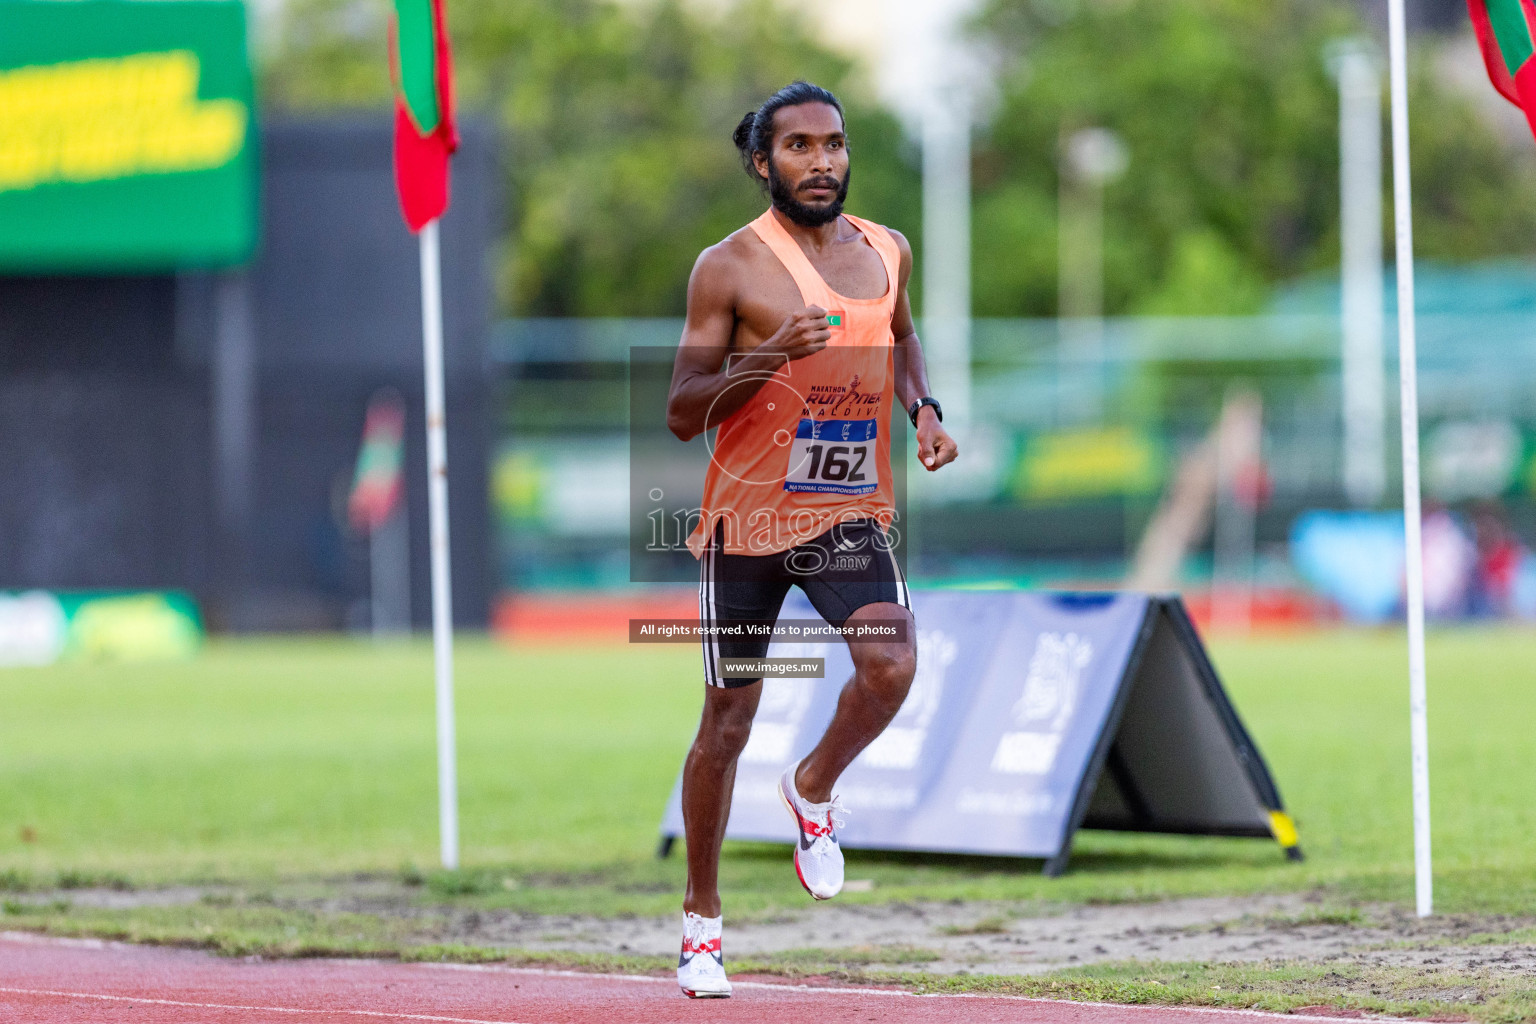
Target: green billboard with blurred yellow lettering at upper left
127,136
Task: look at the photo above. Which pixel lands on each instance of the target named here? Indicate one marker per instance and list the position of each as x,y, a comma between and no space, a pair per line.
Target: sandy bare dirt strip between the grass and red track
950,937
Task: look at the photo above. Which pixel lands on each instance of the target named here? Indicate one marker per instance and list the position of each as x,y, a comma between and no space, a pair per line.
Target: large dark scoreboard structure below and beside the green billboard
196,429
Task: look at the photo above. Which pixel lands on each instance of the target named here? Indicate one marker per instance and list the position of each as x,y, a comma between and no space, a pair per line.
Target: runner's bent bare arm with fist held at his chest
709,382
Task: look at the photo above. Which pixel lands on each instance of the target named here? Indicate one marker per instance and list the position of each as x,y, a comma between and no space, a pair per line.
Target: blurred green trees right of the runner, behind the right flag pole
1231,121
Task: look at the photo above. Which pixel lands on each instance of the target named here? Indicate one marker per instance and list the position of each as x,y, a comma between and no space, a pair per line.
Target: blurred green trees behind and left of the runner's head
615,124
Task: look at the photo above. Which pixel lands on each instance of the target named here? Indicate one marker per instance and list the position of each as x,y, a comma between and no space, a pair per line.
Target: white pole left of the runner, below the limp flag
439,504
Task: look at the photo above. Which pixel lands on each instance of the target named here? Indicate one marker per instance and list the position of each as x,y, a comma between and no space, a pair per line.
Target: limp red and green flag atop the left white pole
425,131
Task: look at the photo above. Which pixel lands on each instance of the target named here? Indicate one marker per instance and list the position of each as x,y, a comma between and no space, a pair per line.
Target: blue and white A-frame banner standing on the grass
1031,716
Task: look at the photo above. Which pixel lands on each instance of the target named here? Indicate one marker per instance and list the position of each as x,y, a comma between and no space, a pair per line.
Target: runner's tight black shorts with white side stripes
846,569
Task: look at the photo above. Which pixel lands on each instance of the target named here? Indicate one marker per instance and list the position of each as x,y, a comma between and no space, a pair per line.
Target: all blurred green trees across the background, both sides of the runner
617,122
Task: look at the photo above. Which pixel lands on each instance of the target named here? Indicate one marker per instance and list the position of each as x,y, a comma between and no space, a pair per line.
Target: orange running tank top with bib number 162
813,446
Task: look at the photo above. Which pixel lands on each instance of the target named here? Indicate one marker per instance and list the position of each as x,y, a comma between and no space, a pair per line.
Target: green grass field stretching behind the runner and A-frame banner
263,761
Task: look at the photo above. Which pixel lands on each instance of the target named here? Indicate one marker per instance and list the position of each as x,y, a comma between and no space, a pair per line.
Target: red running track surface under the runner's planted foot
82,982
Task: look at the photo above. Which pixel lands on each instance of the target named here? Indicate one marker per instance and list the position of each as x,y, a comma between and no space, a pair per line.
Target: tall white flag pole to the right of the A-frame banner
1408,368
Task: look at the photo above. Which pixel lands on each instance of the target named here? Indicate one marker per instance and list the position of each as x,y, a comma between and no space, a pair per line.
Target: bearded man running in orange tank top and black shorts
793,323
